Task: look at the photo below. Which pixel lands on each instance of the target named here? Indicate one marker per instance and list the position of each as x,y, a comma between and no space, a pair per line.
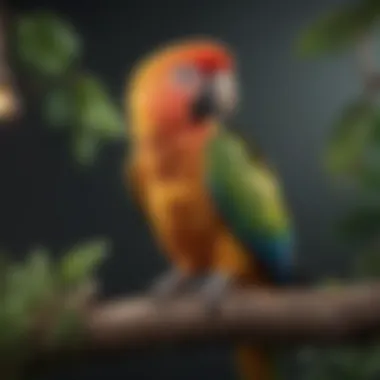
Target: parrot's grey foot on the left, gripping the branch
169,285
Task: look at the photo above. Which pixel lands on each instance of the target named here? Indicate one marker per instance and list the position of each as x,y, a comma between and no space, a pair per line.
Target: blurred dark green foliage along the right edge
352,153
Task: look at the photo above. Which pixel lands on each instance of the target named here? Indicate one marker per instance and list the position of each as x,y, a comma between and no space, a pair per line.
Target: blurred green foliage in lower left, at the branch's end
38,284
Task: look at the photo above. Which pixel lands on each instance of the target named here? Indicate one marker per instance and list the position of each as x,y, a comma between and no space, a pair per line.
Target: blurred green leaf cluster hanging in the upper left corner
50,50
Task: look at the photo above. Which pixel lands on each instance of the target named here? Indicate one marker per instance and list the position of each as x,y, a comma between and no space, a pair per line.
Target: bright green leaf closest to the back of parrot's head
95,110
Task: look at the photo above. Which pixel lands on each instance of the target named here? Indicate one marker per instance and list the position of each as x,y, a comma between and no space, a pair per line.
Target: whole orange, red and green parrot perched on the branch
215,208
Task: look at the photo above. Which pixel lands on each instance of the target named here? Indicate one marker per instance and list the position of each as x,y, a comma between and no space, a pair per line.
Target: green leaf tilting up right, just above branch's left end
78,265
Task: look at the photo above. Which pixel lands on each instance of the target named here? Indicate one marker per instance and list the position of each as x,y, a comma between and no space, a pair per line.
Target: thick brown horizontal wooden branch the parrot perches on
324,316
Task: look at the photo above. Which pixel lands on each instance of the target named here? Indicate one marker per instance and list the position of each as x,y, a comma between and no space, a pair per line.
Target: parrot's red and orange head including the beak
185,86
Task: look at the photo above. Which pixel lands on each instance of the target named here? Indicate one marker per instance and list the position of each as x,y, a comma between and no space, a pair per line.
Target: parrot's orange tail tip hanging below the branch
254,364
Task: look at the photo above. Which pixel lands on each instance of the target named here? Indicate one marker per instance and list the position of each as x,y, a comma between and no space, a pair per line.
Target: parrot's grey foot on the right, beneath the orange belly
214,290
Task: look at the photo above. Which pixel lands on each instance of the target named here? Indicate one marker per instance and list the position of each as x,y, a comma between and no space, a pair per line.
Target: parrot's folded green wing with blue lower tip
248,197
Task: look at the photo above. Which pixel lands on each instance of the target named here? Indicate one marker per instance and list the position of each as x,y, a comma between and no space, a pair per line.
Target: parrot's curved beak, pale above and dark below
217,98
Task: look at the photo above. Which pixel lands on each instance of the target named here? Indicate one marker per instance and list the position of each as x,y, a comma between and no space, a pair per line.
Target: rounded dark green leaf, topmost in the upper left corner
46,44
